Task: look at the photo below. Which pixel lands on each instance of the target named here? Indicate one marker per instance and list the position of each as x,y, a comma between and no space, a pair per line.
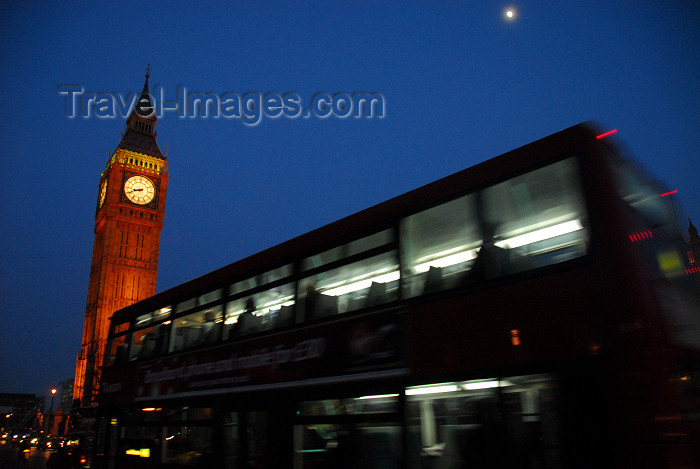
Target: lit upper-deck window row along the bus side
524,223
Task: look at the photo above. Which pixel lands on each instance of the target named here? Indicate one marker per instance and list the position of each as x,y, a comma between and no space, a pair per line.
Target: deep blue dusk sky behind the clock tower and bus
461,85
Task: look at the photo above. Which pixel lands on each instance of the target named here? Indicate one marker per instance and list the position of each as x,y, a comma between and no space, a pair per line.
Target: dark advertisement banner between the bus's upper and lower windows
364,347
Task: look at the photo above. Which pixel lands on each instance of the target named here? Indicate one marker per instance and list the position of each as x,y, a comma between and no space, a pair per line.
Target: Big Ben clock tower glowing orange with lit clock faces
128,220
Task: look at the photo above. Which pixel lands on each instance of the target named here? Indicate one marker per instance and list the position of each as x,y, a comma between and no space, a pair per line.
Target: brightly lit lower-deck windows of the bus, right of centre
450,424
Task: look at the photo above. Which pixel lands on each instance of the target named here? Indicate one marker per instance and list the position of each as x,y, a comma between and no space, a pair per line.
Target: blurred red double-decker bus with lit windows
530,311
